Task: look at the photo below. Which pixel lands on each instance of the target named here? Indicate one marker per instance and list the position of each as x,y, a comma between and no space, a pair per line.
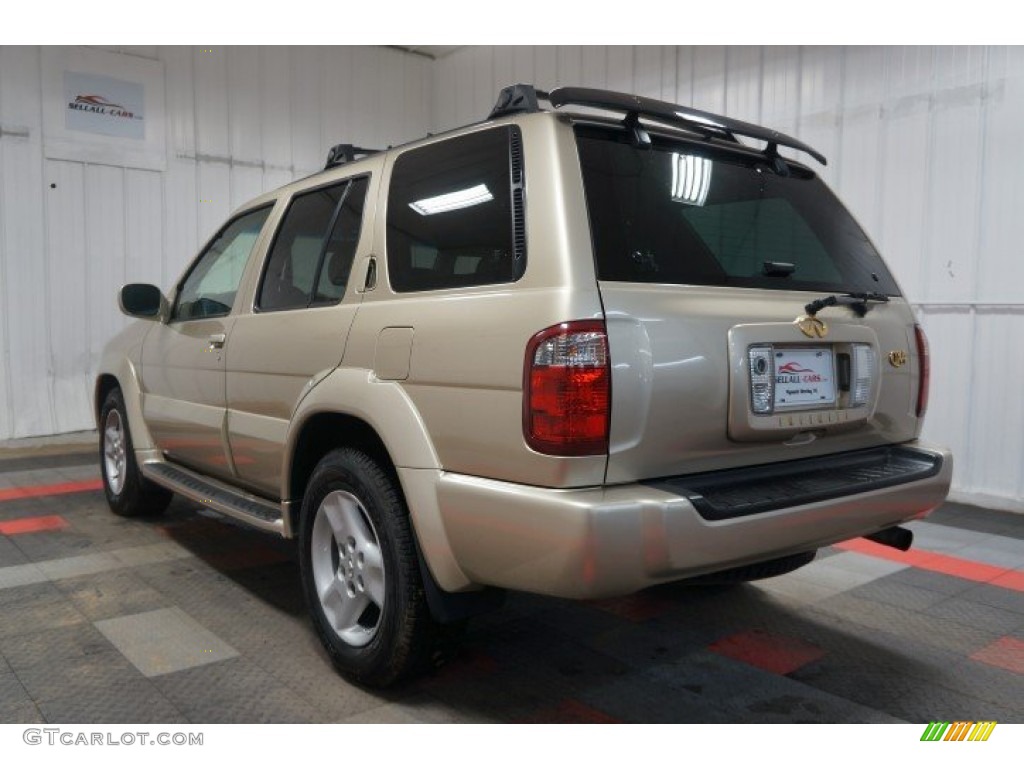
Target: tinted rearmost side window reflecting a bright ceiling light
455,215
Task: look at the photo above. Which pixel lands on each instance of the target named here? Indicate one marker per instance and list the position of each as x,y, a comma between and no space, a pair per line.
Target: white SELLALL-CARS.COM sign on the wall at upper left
101,105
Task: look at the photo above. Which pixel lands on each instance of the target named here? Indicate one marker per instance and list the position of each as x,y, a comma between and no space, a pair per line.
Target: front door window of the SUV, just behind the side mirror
209,289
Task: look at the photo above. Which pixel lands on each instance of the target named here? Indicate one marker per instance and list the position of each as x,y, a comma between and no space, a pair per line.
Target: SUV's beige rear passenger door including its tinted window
297,327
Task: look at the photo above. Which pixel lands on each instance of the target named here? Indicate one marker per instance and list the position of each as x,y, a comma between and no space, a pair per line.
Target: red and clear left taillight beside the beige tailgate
568,390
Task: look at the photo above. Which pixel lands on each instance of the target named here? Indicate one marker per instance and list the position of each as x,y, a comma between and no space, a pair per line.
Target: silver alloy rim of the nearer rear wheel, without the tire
348,569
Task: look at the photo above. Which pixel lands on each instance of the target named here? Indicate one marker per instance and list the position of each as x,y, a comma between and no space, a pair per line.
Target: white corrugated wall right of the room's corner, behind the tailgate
926,145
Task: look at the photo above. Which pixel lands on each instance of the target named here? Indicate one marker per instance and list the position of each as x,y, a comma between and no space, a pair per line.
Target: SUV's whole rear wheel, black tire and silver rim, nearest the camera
361,574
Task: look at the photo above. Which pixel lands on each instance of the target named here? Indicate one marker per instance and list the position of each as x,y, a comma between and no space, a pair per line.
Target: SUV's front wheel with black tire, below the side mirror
129,493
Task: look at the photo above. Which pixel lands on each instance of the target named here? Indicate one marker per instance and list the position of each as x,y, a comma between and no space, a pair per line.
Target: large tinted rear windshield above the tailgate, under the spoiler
685,214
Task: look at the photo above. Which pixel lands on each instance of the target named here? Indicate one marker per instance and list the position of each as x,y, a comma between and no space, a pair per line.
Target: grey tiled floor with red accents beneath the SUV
188,618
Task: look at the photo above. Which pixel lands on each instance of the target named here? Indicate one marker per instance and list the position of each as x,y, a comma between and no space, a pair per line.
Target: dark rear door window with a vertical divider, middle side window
313,252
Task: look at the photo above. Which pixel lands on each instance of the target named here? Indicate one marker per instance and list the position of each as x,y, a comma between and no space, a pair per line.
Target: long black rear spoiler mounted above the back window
675,114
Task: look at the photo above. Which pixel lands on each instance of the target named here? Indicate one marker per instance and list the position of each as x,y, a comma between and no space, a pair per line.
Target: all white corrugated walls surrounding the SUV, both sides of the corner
924,145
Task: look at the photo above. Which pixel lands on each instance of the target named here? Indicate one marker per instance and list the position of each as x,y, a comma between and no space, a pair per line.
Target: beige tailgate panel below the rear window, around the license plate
681,382
